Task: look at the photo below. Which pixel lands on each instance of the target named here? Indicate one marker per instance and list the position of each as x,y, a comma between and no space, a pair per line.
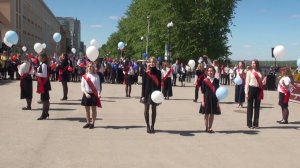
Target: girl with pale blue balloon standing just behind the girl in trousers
240,84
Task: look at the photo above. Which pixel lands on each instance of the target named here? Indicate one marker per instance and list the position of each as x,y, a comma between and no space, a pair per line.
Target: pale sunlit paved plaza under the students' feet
120,139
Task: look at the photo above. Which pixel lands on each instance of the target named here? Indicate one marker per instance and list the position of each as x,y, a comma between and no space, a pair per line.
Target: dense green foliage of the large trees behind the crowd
200,27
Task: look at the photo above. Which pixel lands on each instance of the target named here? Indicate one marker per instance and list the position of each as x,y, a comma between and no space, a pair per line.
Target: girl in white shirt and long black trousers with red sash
254,94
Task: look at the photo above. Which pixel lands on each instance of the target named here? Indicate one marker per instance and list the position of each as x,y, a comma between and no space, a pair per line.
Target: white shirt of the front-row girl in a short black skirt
95,80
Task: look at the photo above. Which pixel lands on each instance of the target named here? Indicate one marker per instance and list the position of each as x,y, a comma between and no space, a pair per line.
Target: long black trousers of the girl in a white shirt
253,98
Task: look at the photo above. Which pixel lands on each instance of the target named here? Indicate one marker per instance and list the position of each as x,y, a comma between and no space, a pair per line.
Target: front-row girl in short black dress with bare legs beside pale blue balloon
210,104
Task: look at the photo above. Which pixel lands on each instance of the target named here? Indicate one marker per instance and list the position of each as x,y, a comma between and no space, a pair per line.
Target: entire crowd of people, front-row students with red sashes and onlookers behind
208,75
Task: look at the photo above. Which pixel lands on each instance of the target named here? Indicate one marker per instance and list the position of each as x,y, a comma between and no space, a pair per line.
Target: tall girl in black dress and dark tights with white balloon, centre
151,83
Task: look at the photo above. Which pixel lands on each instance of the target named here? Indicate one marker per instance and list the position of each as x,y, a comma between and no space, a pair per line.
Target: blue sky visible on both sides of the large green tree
259,24
